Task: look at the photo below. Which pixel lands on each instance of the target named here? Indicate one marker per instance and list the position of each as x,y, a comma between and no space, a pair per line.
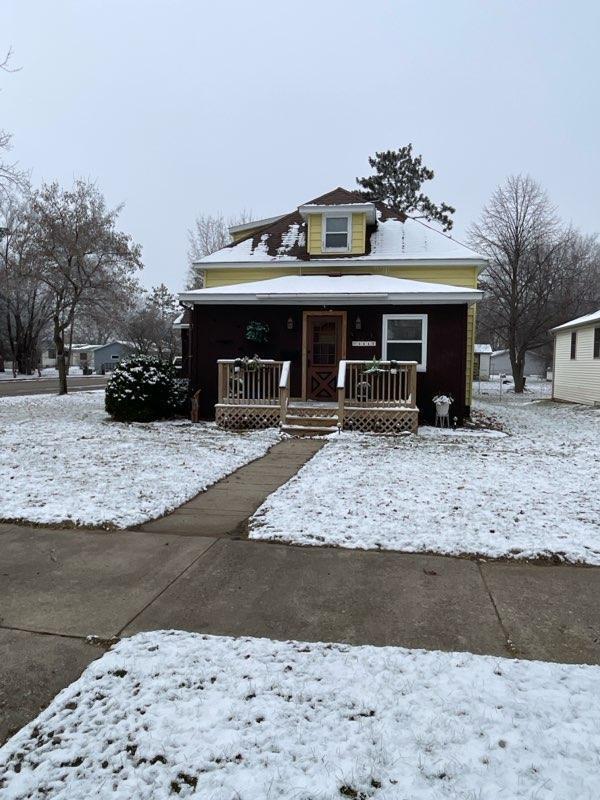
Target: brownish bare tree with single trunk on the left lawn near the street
82,253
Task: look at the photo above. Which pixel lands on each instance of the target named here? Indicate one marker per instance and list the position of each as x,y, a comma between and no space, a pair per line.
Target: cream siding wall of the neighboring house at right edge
578,379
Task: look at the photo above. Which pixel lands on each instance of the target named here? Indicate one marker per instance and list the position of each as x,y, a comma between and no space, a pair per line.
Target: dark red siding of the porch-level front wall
219,332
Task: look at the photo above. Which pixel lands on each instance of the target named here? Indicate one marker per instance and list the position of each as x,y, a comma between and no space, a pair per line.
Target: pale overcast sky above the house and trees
182,107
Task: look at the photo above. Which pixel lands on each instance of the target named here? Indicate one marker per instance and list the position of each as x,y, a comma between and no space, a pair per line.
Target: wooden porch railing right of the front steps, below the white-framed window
393,384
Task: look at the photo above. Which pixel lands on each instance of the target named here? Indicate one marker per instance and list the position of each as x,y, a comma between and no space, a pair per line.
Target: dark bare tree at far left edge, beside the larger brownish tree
24,298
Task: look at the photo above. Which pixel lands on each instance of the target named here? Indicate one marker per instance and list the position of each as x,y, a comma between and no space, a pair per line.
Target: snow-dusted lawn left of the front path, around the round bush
63,460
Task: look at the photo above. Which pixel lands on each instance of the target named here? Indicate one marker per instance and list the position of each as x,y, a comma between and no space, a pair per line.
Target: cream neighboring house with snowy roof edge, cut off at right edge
576,374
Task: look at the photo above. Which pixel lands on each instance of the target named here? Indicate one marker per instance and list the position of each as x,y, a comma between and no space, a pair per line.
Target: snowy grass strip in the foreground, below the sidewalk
180,714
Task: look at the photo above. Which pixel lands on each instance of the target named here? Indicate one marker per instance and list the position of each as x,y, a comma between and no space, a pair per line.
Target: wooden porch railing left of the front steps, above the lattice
260,386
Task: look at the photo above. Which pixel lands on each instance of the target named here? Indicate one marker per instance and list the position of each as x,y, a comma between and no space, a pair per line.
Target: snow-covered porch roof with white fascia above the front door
332,290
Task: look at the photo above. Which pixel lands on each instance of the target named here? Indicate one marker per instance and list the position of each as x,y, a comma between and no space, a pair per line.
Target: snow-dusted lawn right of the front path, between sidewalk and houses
533,493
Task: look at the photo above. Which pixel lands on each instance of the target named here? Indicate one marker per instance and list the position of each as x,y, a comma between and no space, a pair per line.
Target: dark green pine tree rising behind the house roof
397,181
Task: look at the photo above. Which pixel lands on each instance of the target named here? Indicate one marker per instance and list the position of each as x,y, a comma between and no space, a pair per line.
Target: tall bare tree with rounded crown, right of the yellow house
537,269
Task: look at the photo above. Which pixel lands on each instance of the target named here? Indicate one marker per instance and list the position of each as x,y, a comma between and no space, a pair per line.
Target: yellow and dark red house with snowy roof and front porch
359,315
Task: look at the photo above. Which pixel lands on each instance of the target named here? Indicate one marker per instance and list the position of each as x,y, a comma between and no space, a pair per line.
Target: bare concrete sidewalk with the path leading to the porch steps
194,572
